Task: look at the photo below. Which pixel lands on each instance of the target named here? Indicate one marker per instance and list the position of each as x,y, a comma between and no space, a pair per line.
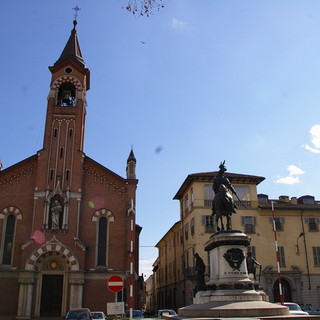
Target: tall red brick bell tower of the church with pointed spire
61,159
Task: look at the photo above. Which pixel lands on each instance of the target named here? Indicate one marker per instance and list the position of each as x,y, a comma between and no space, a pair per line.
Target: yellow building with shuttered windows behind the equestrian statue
297,223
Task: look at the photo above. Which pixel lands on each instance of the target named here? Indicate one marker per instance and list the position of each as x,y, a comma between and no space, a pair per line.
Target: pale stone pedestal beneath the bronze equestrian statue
230,290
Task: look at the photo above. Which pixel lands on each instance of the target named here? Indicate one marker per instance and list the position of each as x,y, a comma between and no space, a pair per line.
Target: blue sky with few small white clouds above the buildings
199,82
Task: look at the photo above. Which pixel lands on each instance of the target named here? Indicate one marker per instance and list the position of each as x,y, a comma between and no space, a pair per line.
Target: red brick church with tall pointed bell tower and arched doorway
67,223
